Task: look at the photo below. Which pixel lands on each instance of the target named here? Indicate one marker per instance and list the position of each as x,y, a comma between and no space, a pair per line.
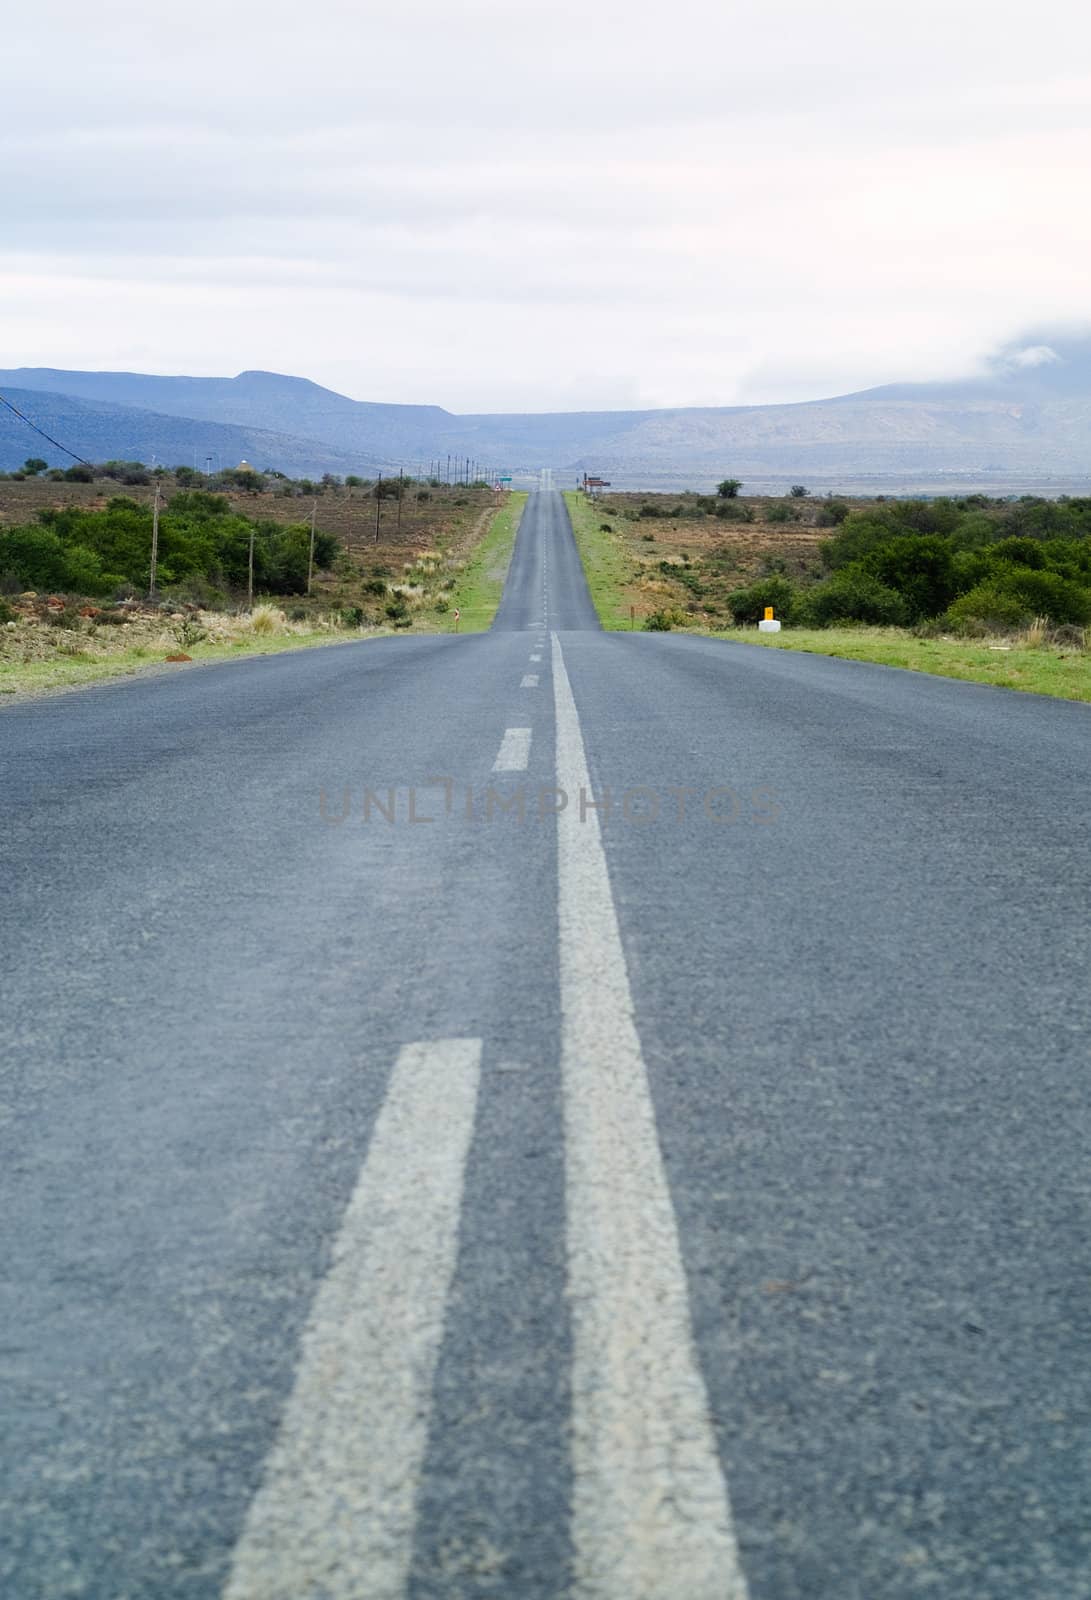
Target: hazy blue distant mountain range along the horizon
1025,423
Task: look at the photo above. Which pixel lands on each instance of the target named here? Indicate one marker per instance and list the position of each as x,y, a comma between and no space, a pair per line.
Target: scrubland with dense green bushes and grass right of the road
999,591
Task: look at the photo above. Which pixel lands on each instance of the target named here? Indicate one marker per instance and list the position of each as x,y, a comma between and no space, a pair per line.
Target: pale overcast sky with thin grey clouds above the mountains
514,206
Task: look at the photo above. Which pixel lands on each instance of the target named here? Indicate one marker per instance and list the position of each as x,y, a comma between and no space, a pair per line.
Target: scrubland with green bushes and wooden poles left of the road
76,567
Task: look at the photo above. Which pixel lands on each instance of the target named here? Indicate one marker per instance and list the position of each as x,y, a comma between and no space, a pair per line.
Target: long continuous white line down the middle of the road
650,1503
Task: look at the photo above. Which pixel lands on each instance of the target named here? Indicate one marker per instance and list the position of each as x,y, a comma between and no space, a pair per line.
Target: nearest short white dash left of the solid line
335,1516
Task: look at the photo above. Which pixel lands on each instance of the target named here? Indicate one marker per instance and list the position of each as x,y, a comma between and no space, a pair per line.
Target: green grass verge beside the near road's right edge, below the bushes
1066,674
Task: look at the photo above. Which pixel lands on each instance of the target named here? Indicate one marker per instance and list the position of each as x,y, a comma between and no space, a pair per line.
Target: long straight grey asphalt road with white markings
681,1198
